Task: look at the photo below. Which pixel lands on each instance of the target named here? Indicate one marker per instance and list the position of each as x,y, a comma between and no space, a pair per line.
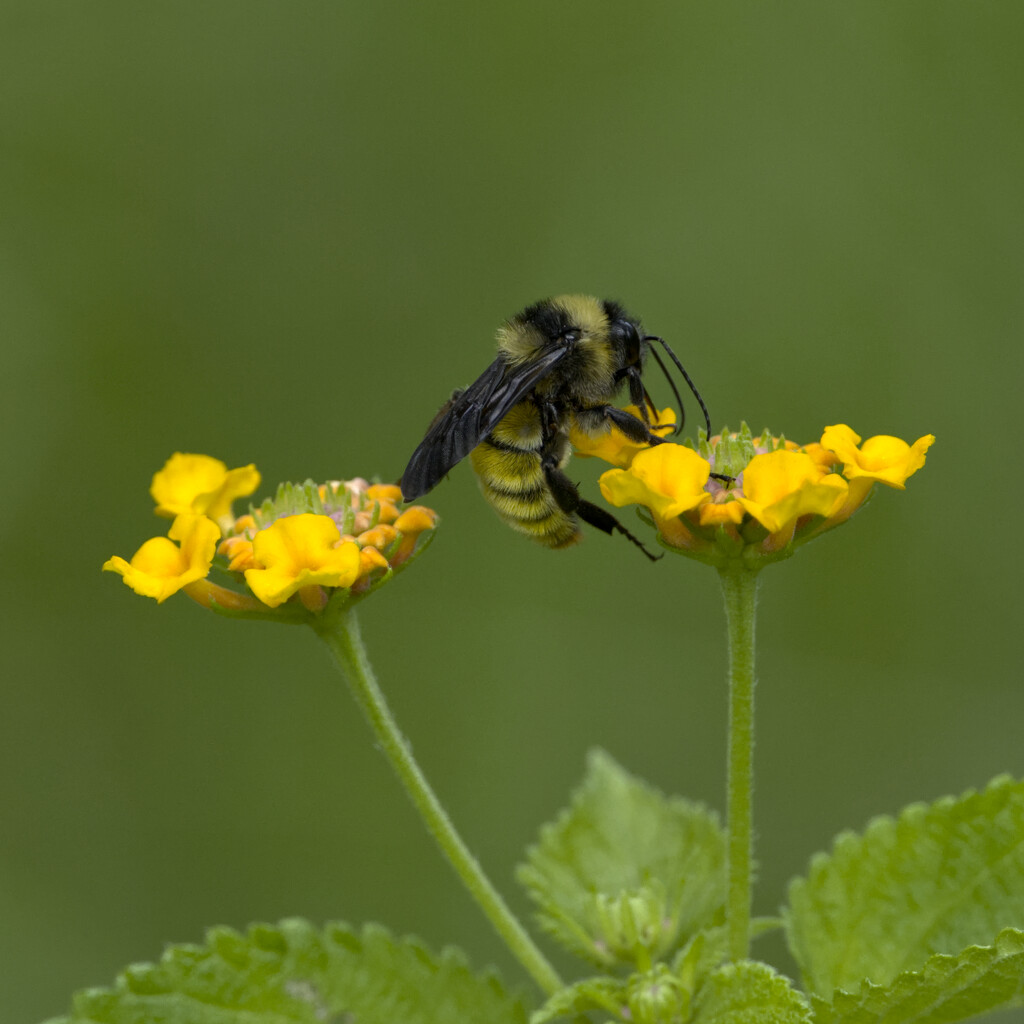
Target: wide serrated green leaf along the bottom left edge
295,974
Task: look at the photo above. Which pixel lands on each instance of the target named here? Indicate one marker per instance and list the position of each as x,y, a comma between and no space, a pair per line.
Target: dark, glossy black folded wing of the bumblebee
471,416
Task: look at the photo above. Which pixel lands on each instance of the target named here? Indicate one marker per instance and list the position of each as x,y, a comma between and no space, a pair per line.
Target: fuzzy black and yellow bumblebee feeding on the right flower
561,364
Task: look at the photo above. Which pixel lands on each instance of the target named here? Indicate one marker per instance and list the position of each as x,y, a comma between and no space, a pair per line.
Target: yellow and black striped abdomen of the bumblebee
508,467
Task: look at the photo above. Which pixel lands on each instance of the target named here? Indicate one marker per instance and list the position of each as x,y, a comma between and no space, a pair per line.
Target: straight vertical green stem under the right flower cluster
740,587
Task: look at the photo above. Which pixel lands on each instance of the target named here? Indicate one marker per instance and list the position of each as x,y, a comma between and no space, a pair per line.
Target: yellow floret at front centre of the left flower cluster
300,551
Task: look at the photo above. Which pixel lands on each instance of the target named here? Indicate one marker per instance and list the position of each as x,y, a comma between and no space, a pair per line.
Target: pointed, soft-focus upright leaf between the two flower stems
626,868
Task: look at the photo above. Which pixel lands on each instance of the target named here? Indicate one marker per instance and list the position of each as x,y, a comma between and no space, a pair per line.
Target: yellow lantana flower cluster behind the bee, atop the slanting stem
307,543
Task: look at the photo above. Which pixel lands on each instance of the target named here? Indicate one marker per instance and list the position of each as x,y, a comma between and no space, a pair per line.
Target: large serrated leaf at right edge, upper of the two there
940,879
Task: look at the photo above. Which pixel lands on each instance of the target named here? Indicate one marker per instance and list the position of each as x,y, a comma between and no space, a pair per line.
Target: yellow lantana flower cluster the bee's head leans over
753,498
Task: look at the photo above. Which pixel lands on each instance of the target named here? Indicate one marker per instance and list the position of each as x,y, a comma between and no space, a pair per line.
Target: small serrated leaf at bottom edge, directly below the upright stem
750,993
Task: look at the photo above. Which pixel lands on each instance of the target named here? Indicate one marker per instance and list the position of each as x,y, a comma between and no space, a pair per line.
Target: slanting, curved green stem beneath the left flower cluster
340,630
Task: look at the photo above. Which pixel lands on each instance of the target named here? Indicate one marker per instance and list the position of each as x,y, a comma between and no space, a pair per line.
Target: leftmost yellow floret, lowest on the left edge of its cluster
161,568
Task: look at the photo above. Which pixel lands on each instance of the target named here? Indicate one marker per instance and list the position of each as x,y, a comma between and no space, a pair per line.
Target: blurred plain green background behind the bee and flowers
284,233
